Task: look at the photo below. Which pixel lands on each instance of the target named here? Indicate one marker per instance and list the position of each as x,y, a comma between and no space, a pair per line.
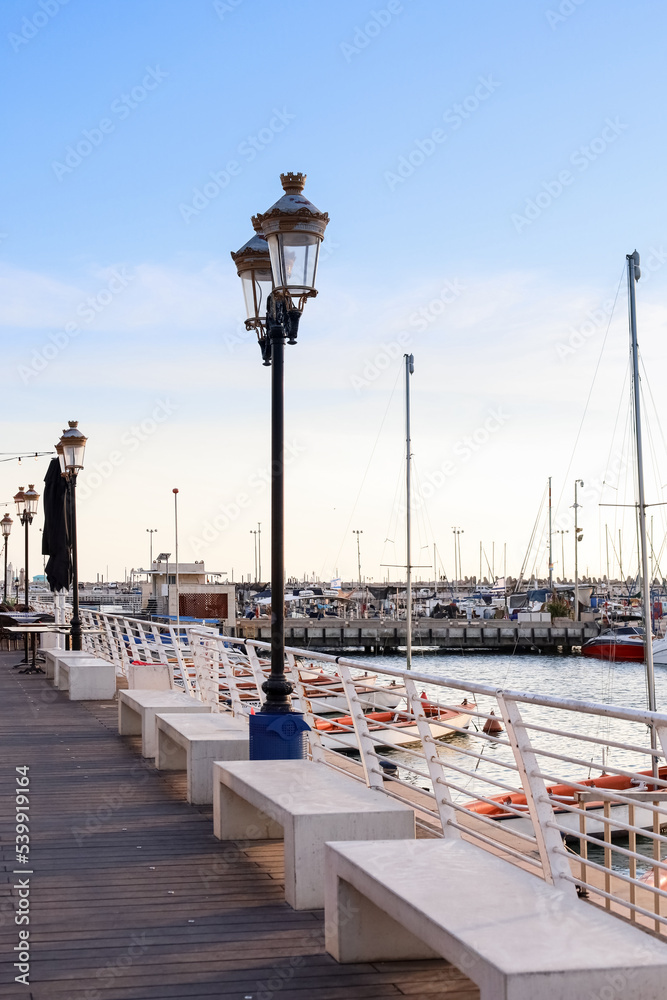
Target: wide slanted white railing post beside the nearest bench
549,842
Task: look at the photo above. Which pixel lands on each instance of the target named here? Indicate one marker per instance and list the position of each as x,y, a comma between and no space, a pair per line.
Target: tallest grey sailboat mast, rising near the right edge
633,276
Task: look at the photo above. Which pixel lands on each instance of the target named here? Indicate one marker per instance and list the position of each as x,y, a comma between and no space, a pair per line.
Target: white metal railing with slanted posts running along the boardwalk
526,792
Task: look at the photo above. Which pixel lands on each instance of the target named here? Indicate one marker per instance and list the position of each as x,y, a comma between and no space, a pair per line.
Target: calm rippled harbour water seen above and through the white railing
621,684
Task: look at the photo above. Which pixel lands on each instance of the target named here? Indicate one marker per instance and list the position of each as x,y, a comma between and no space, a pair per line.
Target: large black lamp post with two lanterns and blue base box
278,267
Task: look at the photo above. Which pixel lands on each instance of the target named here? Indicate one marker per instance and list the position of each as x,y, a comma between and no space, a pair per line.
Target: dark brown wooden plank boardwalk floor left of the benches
132,897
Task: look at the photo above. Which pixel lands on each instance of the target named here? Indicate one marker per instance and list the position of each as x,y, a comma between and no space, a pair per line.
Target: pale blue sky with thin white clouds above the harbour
486,168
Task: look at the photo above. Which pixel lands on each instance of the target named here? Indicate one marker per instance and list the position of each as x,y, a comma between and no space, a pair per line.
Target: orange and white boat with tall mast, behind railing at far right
564,793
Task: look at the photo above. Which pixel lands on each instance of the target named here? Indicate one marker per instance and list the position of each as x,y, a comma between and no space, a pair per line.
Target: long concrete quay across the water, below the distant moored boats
378,636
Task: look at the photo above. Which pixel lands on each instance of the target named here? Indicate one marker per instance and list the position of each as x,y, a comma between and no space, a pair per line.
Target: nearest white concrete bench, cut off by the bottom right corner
514,935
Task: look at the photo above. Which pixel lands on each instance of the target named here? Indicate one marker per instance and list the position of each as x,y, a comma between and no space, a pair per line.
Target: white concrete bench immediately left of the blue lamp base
192,742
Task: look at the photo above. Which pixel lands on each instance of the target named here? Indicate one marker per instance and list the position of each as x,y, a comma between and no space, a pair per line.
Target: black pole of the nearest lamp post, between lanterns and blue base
277,688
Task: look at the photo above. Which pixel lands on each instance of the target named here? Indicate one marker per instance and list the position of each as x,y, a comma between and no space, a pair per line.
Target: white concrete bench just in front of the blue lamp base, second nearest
306,804
